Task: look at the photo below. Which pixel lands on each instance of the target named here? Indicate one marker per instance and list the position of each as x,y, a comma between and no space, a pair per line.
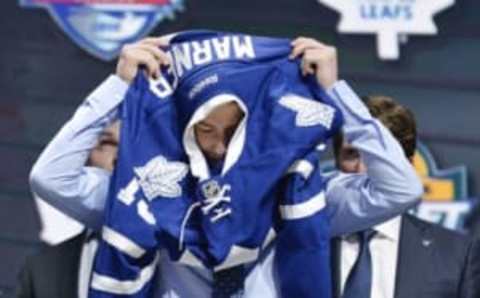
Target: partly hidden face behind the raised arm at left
104,154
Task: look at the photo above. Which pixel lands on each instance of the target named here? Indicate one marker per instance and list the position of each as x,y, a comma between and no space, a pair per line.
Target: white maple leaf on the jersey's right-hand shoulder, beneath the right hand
309,112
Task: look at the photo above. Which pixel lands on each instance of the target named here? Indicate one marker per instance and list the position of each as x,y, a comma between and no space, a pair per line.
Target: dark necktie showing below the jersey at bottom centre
228,282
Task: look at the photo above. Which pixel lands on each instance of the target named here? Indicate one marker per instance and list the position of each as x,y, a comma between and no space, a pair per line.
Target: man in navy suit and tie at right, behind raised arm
404,256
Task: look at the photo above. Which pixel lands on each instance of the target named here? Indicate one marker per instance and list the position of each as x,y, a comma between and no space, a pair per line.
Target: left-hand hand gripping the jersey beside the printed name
145,52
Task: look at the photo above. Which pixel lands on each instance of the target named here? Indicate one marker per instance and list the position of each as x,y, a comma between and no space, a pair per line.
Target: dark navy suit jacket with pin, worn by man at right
433,262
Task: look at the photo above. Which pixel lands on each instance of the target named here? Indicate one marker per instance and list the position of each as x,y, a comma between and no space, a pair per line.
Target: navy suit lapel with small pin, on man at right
414,254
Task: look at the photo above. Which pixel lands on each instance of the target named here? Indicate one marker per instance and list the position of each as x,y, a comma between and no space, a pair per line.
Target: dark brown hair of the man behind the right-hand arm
397,118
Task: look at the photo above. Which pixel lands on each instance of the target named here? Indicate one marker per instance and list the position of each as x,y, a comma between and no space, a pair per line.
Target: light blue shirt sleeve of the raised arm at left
60,176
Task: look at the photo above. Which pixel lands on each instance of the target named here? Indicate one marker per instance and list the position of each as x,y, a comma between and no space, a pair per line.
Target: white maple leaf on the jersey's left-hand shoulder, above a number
160,177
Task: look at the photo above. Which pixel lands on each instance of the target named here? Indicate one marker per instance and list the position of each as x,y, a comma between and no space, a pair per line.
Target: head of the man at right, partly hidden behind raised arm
397,118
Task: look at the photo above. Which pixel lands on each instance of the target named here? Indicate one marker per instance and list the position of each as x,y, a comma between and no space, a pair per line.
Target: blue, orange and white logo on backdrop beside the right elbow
445,200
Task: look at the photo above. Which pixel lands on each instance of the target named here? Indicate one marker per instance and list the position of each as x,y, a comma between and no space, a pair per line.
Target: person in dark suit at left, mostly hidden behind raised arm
63,270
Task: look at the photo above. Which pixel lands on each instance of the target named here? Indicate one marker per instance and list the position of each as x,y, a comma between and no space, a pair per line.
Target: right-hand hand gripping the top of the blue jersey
318,59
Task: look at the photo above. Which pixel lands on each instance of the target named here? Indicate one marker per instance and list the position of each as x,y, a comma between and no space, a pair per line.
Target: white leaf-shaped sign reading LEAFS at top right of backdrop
391,20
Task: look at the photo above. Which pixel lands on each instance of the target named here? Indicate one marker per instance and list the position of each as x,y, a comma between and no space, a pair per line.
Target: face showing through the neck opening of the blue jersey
214,132
